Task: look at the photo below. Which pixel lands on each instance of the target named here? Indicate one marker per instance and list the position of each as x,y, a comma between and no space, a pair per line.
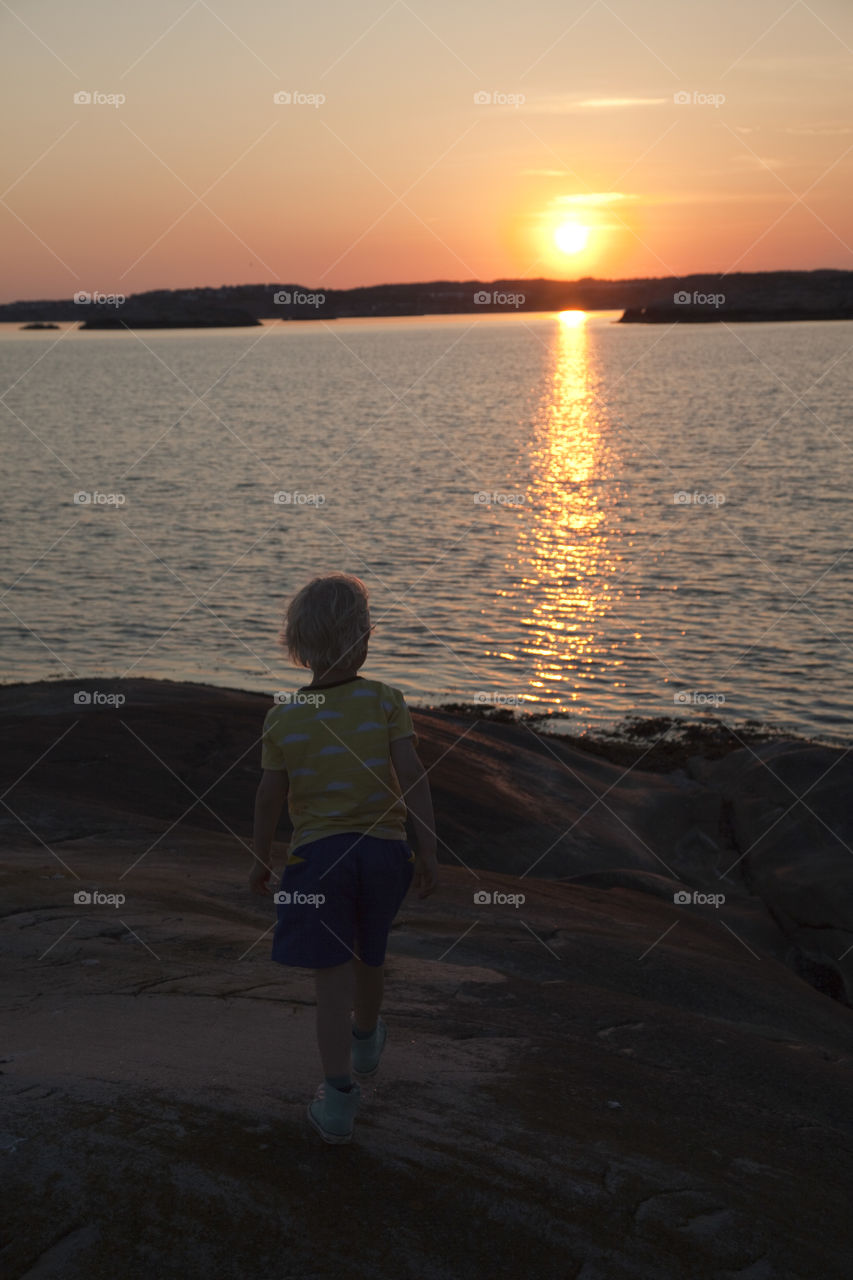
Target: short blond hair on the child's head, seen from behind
327,624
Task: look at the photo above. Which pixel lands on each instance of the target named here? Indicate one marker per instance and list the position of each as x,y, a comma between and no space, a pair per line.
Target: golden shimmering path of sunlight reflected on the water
565,557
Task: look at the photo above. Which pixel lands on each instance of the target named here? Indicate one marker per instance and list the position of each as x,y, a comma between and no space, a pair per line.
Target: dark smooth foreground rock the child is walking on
595,1084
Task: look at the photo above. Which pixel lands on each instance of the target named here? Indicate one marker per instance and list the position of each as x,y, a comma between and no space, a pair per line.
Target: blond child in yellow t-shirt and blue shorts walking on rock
343,753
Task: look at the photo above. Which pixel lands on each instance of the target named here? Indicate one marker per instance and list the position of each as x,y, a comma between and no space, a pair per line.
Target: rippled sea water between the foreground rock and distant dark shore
591,595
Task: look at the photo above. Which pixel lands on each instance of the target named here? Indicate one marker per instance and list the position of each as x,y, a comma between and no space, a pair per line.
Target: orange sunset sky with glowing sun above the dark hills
385,167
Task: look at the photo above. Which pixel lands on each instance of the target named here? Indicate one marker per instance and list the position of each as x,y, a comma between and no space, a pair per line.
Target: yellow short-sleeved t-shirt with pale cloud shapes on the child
337,758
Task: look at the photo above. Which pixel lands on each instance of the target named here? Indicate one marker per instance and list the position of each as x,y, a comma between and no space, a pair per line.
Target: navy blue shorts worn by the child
341,900
